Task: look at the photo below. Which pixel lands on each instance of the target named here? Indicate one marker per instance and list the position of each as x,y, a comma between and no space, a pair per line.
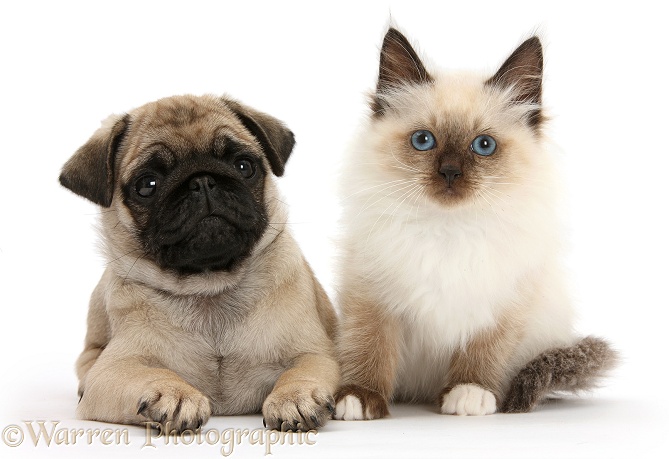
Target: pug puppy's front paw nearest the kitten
296,407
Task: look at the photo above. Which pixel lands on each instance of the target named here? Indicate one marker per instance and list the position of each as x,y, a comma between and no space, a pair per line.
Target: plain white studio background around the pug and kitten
65,66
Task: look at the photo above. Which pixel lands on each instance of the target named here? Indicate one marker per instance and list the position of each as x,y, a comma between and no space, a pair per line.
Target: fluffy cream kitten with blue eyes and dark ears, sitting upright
450,279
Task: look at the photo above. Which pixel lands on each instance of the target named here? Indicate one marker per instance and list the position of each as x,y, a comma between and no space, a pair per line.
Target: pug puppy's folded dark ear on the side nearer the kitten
276,140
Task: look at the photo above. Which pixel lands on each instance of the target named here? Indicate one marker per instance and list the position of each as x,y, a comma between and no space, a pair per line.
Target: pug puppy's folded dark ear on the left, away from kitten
90,171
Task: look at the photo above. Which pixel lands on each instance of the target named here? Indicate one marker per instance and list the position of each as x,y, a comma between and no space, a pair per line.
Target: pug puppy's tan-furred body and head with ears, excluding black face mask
167,346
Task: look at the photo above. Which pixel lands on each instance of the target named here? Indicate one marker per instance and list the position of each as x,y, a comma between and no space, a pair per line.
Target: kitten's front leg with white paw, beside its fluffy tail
476,373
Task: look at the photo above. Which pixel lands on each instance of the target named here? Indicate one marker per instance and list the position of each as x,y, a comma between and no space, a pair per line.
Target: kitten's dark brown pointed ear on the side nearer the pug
399,65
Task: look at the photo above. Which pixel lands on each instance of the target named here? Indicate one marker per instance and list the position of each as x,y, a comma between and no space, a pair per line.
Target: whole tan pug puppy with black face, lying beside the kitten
207,306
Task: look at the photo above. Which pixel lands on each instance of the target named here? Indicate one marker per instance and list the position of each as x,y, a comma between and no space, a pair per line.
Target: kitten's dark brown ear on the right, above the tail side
523,72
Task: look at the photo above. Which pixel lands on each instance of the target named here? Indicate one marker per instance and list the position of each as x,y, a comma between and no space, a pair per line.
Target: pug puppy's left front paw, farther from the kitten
175,405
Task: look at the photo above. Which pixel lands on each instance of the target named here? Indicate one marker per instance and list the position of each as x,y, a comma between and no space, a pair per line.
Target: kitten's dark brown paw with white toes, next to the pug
355,403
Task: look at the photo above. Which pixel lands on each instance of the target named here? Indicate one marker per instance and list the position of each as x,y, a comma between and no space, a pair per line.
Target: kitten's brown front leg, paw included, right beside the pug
368,354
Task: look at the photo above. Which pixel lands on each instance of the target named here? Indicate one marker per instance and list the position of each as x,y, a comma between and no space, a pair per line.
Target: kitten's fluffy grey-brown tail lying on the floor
569,369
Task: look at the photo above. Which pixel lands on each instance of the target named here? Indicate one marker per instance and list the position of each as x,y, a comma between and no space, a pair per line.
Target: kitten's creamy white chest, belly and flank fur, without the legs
450,275
